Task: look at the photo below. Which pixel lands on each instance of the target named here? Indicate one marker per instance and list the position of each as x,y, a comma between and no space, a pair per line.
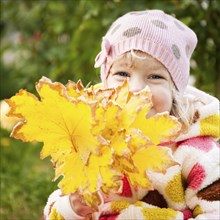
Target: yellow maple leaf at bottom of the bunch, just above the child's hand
85,178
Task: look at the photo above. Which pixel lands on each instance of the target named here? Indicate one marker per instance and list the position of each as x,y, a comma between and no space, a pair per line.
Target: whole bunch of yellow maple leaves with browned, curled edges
94,136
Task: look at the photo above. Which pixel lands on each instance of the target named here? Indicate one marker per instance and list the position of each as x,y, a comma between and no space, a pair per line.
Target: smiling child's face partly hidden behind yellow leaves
141,73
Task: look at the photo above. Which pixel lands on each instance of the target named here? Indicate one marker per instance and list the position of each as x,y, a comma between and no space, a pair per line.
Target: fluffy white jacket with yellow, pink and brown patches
188,190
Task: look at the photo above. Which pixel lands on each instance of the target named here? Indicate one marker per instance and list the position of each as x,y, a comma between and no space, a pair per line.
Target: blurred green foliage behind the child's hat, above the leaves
60,38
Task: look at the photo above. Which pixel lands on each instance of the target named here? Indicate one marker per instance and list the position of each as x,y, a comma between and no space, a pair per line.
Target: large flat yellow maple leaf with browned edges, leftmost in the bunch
54,120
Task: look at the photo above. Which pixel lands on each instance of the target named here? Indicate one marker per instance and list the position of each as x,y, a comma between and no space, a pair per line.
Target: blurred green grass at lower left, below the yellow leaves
25,179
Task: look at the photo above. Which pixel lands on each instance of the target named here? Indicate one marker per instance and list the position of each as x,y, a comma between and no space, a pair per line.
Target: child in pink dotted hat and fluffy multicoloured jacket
151,48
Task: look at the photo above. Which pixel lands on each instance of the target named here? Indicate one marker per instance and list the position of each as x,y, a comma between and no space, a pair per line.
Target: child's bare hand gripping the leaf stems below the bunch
79,205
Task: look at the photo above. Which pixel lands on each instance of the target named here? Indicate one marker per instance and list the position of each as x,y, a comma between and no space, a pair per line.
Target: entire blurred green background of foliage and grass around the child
60,39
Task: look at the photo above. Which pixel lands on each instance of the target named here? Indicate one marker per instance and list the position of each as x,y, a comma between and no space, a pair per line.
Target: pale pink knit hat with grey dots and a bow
156,33
